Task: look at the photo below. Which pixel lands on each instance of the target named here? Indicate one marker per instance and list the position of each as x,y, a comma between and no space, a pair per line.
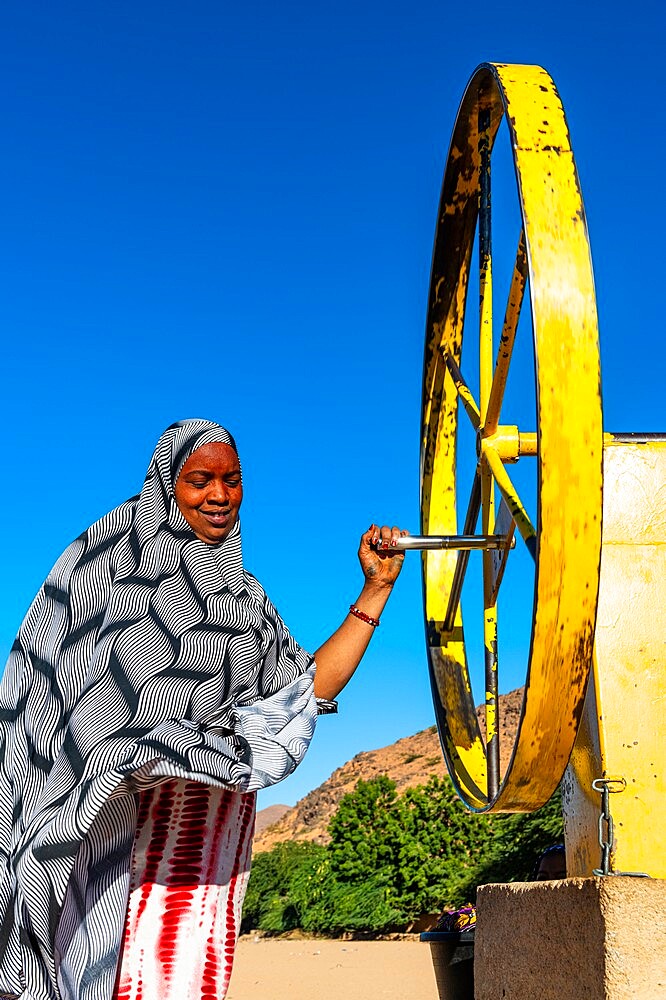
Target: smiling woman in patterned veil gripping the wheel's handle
152,689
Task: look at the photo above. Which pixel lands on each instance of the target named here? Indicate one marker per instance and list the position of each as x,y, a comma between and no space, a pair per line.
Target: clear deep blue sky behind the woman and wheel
226,210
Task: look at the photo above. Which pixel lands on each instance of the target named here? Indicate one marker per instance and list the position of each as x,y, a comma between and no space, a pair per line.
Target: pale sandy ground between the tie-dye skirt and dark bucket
332,970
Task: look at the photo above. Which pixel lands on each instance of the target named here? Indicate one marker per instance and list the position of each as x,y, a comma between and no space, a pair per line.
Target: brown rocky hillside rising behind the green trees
409,762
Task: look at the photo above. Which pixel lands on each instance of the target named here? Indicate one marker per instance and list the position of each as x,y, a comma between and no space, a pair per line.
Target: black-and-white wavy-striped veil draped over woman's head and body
146,654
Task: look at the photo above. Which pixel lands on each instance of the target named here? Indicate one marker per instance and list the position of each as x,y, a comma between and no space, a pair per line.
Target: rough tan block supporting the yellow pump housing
574,939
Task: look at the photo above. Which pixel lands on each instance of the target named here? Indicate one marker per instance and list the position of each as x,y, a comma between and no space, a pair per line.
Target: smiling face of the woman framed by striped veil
209,491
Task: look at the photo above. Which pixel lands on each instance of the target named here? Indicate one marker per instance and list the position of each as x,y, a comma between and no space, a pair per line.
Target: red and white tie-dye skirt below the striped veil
190,867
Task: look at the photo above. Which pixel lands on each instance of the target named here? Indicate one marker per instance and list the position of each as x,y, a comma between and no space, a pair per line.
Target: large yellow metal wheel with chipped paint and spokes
563,533
